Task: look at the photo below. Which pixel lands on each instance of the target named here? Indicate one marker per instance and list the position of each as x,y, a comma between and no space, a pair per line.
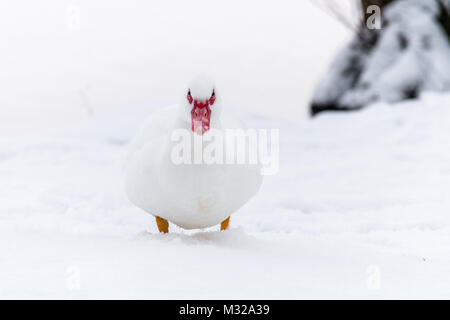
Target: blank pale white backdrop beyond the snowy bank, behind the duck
61,58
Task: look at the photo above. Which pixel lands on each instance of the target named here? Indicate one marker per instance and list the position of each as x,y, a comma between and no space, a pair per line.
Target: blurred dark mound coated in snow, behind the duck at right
409,55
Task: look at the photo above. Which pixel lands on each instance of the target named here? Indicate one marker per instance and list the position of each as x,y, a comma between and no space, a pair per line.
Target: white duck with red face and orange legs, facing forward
191,196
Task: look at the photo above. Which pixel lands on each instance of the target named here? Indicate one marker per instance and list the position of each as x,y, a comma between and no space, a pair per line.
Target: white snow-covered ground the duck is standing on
359,209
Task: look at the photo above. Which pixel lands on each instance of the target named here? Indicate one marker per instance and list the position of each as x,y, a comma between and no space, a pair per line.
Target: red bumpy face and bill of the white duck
201,112
